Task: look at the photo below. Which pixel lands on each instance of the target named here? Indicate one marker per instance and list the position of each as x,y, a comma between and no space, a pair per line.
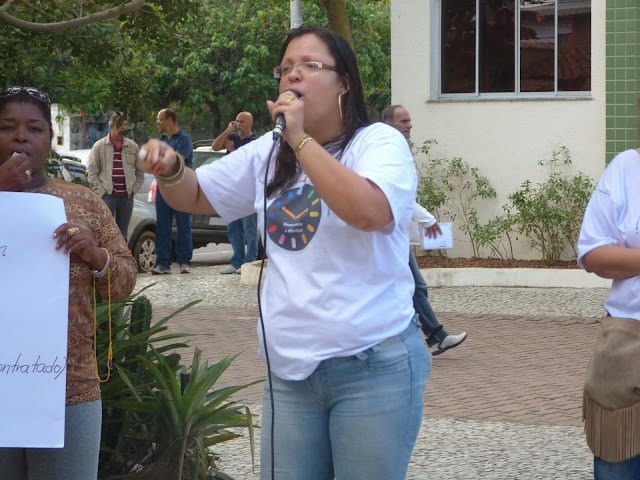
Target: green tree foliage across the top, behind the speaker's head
208,59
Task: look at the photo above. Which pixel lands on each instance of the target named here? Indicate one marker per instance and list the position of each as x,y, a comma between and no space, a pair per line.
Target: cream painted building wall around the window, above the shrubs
507,138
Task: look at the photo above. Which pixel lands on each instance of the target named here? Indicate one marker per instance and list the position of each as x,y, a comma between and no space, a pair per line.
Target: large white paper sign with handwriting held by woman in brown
34,302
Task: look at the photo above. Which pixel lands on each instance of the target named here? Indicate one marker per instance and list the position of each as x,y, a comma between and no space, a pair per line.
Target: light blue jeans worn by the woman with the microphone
355,418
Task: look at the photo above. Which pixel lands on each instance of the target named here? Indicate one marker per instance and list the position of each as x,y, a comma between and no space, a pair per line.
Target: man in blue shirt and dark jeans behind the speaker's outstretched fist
181,143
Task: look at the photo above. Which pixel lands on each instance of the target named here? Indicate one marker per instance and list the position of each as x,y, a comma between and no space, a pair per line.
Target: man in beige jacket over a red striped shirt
113,171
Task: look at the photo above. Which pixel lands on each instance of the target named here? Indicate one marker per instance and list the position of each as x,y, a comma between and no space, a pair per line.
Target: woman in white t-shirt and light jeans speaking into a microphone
348,365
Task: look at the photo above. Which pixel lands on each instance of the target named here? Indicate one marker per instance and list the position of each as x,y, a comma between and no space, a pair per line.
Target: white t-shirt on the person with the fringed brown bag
613,218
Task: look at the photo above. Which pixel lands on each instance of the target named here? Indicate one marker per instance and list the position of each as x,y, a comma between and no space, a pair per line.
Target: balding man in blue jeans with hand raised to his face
243,230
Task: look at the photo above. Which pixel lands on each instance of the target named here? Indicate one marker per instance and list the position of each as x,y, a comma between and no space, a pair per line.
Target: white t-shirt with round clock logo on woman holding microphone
330,290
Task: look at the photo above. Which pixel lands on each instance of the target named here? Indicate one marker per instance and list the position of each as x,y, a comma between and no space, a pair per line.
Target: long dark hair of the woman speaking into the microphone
355,109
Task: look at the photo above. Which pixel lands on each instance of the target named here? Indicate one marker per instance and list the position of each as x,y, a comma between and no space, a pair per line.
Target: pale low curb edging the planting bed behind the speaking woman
484,277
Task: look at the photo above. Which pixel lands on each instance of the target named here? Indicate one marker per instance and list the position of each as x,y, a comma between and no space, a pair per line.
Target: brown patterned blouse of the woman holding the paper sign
85,209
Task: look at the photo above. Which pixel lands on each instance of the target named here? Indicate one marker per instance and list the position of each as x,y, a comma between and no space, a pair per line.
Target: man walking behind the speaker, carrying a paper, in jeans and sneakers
438,340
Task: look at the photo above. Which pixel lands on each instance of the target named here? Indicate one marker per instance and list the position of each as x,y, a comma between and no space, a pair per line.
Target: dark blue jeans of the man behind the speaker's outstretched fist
164,222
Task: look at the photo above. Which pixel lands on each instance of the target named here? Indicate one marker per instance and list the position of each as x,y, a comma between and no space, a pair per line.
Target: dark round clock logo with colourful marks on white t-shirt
293,217
